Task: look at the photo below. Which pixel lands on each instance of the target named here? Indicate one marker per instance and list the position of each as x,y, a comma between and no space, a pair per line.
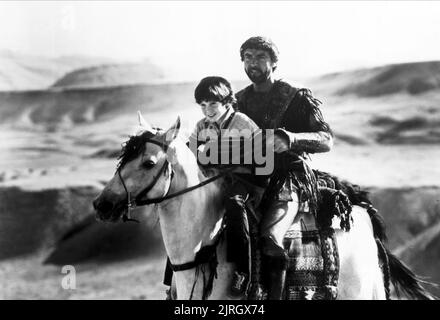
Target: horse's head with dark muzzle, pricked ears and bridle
144,171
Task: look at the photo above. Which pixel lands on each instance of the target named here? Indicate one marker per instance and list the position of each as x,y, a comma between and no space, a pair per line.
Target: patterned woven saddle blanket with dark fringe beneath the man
311,248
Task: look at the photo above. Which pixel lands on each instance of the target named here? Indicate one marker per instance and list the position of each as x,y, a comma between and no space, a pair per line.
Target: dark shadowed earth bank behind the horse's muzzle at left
63,221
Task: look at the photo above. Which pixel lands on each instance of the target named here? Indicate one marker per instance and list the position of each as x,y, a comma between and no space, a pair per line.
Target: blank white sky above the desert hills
192,39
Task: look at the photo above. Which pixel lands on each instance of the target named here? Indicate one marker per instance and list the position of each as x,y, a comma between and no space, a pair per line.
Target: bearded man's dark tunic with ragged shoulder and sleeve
294,114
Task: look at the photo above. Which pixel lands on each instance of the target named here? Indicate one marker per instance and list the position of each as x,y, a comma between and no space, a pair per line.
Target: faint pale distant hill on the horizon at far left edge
28,72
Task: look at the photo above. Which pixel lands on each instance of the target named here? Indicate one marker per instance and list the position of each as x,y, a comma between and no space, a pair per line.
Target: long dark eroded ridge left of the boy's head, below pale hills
50,108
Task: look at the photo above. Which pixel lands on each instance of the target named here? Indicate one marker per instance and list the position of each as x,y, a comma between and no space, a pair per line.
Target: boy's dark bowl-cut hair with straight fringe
214,89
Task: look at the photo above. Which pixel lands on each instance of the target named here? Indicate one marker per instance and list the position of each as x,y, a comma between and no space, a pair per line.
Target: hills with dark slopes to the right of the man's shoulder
393,104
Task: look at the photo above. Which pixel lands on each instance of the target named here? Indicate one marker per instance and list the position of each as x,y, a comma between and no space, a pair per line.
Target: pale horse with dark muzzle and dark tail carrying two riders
158,170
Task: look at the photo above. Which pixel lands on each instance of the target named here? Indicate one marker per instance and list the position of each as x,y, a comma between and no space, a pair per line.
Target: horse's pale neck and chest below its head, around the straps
190,222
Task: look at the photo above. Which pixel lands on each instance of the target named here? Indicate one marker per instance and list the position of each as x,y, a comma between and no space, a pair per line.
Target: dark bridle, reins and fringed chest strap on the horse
207,255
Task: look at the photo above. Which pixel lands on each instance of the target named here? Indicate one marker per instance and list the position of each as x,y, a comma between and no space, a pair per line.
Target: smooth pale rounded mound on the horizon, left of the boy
111,75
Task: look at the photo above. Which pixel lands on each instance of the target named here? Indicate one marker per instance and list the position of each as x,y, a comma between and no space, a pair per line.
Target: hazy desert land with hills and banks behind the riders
59,145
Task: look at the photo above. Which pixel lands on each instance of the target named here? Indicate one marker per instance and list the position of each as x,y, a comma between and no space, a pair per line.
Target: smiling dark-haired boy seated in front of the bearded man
216,98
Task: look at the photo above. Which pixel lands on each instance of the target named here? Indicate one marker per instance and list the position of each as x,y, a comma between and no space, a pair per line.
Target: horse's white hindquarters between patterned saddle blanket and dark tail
360,275
